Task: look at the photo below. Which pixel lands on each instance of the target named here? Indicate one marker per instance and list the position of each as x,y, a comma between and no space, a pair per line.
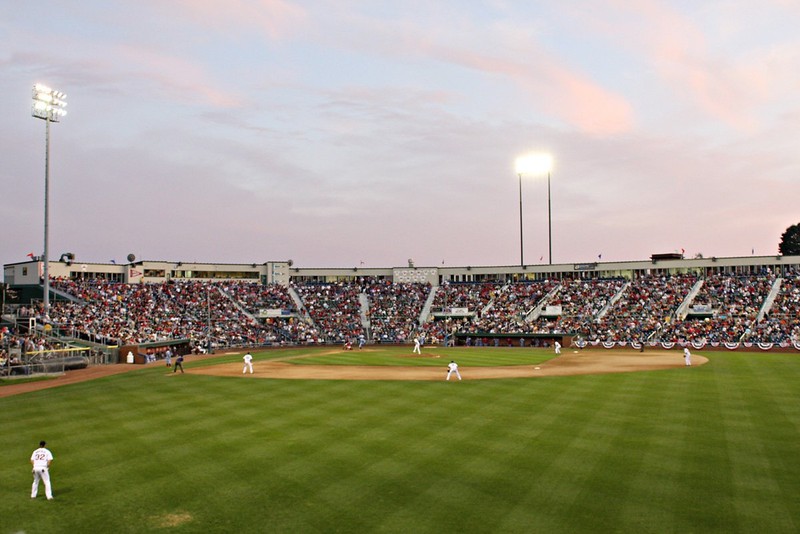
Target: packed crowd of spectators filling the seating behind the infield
235,313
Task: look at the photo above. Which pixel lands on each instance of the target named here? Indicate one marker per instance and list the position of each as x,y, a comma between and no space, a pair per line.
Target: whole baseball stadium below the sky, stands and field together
578,410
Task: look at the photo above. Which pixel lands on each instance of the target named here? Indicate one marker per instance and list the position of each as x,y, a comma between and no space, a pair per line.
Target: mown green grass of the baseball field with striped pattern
714,448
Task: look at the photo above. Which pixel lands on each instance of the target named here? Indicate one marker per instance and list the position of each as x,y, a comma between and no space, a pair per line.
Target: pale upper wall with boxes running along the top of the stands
282,272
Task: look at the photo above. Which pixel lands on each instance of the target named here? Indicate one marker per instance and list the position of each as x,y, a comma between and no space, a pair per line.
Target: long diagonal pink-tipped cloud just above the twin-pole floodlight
552,87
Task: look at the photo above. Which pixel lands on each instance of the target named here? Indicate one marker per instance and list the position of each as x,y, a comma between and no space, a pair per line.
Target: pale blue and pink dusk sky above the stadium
369,133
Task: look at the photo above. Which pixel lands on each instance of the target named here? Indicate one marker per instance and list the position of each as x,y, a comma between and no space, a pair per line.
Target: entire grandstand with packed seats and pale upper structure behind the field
147,306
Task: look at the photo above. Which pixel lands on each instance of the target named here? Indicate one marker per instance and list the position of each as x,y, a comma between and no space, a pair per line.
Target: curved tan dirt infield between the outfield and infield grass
573,363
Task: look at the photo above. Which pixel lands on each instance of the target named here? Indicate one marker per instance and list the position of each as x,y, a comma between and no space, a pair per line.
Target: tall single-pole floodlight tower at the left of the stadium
48,105
